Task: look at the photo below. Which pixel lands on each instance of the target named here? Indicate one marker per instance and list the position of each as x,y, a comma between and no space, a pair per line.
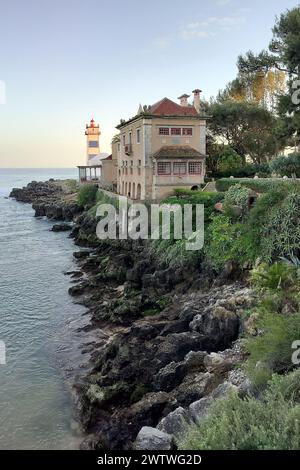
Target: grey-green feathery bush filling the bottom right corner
249,424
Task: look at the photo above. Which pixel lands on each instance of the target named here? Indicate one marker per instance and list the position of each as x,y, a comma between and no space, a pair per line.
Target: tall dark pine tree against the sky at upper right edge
283,55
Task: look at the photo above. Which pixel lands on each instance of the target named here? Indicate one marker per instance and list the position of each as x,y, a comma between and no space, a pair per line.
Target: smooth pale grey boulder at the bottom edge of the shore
152,439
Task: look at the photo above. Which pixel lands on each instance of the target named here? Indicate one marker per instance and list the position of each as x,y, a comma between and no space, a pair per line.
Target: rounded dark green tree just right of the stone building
248,128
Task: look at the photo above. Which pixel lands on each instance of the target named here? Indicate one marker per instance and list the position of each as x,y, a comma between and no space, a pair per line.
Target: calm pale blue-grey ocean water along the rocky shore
38,323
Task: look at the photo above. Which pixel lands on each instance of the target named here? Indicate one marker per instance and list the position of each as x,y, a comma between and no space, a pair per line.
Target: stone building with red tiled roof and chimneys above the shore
161,148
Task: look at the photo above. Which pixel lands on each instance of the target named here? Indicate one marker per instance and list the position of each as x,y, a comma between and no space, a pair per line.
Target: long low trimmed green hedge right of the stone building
258,185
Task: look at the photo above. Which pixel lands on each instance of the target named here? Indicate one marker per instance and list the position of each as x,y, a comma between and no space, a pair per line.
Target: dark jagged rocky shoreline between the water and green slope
171,337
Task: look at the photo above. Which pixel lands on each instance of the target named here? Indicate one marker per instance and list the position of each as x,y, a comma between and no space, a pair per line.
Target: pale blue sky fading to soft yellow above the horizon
63,62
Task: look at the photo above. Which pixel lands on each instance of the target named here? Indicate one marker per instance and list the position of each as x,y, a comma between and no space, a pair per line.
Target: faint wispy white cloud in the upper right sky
211,26
